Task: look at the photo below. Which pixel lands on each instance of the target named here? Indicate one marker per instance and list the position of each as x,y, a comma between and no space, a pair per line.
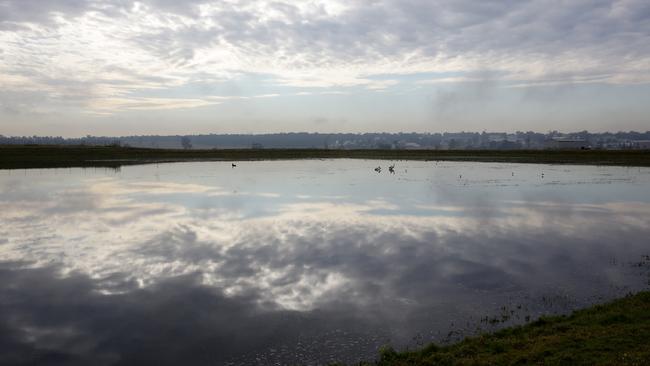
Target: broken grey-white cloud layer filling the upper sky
108,55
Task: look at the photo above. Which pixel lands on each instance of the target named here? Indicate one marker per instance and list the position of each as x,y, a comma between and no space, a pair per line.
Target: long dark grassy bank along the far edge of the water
19,157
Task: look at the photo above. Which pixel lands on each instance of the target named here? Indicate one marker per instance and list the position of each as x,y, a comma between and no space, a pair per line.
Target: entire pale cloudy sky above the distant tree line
123,67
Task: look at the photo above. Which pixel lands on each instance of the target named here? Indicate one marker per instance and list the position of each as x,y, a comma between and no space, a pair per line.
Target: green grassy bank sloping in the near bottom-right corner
617,333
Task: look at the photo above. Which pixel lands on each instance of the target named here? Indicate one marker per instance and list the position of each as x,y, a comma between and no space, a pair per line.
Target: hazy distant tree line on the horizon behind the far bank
404,140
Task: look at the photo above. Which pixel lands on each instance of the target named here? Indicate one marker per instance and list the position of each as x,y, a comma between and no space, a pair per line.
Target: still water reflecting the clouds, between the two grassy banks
304,262
